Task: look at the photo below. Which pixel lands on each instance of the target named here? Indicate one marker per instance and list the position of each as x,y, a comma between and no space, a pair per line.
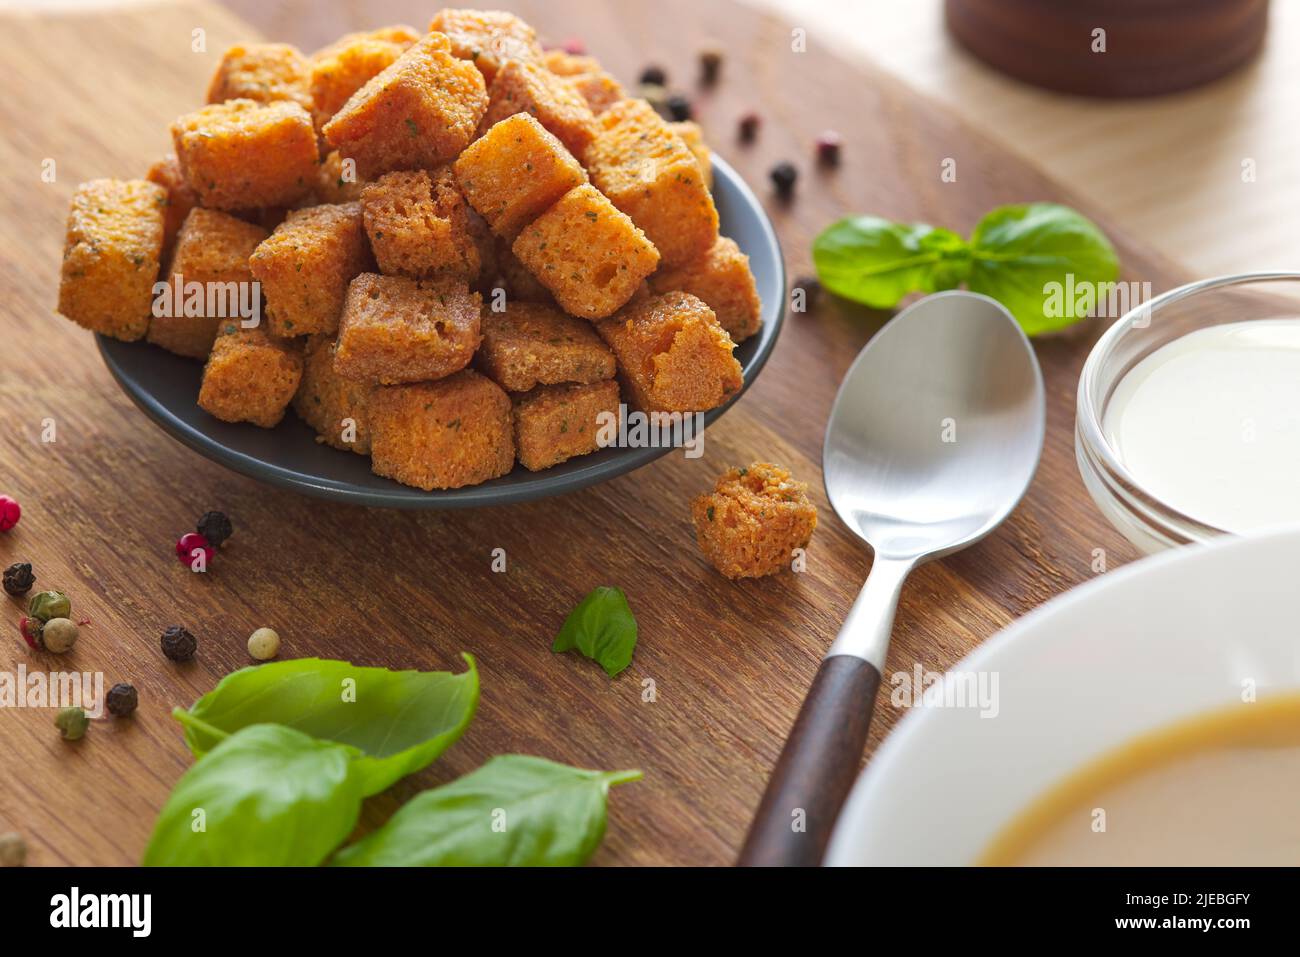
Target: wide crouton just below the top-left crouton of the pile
242,155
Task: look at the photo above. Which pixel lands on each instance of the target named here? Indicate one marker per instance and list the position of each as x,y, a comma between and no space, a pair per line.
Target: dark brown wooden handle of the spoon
817,768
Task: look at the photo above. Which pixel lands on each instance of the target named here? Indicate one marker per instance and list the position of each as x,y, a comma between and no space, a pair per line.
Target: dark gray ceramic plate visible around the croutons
166,386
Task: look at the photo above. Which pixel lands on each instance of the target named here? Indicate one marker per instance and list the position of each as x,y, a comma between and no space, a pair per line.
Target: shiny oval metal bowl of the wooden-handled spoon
938,428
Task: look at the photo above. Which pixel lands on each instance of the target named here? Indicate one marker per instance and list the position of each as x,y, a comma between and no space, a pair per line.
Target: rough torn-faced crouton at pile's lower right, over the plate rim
673,354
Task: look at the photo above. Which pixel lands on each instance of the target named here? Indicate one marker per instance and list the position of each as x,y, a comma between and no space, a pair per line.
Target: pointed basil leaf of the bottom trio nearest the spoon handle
515,811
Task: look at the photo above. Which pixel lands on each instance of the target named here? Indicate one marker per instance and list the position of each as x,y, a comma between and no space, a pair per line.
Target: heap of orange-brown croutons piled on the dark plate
466,250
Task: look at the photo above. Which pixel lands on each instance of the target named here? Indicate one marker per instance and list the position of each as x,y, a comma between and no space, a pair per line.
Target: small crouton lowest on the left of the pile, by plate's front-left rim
250,376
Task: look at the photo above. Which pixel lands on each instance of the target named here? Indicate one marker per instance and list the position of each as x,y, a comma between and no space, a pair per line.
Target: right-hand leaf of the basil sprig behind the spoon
1028,256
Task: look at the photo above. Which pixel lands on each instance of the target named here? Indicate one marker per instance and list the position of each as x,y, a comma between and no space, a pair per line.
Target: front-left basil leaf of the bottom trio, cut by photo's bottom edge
265,796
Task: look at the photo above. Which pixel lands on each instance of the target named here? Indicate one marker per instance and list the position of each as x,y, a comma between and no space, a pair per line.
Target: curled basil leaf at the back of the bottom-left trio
401,721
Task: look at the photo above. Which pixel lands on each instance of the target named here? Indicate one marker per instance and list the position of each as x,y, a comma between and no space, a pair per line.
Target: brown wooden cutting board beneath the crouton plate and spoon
730,662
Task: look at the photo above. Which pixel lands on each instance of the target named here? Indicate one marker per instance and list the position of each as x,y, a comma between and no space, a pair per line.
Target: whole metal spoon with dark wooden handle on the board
934,439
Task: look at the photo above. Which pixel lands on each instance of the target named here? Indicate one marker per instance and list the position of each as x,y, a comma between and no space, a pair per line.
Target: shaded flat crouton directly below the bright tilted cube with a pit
531,345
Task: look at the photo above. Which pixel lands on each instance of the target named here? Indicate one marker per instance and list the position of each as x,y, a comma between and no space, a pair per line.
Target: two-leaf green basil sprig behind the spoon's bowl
1015,256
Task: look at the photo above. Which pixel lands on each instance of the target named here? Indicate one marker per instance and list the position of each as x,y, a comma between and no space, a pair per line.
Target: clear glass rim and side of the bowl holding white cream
1141,516
